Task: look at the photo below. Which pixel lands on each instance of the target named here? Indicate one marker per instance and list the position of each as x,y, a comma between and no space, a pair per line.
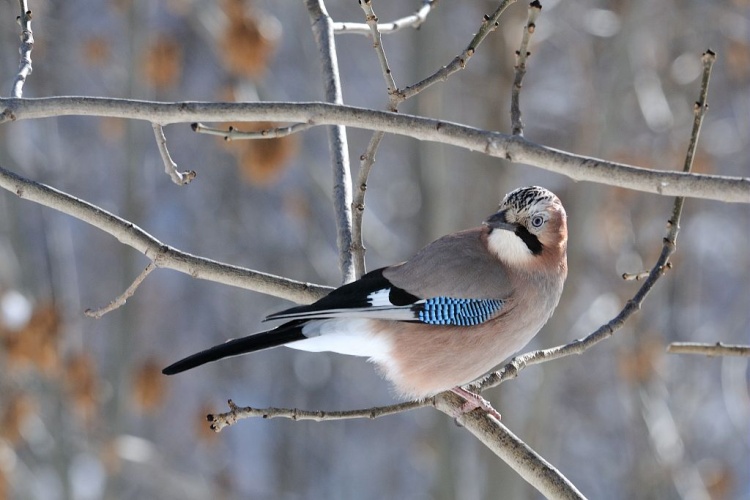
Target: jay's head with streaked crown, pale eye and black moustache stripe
529,228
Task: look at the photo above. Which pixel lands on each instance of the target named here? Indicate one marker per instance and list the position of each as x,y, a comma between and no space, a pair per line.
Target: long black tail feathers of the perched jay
281,335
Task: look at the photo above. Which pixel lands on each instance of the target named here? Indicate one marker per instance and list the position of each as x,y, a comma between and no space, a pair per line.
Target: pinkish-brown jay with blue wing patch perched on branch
444,318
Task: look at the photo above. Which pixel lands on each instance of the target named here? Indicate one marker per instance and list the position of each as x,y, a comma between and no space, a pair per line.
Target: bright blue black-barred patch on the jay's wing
456,312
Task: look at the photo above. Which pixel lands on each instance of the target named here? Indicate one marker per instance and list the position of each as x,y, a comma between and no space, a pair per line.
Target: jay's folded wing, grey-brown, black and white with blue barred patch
440,286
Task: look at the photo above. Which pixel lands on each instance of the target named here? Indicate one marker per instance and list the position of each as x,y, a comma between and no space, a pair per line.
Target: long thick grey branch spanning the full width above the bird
516,149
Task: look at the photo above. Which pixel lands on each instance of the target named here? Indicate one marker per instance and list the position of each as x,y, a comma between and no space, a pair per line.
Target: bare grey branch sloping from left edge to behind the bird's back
162,255
